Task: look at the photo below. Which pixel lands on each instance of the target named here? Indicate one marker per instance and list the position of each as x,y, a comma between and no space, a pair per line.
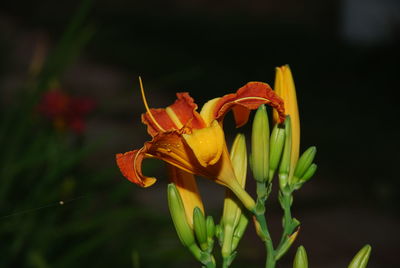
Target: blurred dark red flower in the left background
65,111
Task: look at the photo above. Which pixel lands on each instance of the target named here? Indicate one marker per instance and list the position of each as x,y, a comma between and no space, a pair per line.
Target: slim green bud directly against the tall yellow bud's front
284,168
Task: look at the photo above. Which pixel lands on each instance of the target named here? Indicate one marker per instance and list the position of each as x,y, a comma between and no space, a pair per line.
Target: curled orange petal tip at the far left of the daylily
130,164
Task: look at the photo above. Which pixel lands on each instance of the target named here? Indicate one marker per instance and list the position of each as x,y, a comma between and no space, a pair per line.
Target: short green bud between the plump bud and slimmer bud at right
277,142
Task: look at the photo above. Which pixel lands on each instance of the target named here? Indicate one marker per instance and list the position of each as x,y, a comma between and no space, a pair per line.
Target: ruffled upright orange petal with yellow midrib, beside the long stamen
181,113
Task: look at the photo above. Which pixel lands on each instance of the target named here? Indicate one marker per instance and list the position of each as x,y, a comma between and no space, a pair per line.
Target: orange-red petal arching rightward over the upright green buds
248,97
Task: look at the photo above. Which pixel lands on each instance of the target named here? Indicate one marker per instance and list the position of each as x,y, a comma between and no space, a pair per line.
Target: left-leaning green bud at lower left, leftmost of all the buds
178,215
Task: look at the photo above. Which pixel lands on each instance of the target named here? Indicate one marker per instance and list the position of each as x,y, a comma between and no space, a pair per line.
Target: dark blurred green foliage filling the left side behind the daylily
54,211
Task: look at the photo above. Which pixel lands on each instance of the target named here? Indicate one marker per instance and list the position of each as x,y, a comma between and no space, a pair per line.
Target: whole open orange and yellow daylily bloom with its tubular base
195,142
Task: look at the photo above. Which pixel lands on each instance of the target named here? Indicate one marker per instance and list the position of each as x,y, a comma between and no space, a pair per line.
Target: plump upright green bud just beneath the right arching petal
260,145
